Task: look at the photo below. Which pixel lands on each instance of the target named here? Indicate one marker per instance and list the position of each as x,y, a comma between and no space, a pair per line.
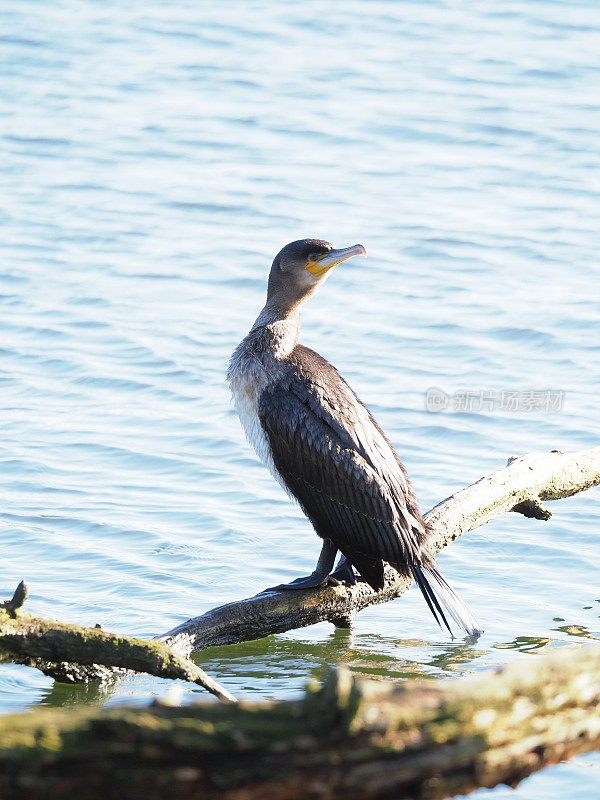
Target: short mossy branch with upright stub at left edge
61,649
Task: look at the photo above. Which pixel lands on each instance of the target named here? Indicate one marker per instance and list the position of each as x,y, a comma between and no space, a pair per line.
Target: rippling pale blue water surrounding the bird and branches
154,158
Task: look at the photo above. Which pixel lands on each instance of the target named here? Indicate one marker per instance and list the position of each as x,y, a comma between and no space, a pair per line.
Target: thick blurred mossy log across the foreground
350,738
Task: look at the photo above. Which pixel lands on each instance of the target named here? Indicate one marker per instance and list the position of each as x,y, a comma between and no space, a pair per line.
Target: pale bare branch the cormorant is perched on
521,487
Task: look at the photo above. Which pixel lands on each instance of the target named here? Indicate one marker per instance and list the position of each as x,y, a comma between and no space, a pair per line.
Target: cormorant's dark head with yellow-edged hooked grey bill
300,267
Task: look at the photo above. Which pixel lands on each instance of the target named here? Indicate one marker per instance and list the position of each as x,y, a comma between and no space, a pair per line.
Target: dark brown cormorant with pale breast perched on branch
321,443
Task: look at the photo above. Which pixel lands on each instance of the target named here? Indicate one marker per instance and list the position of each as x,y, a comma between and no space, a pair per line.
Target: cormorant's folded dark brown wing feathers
306,420
